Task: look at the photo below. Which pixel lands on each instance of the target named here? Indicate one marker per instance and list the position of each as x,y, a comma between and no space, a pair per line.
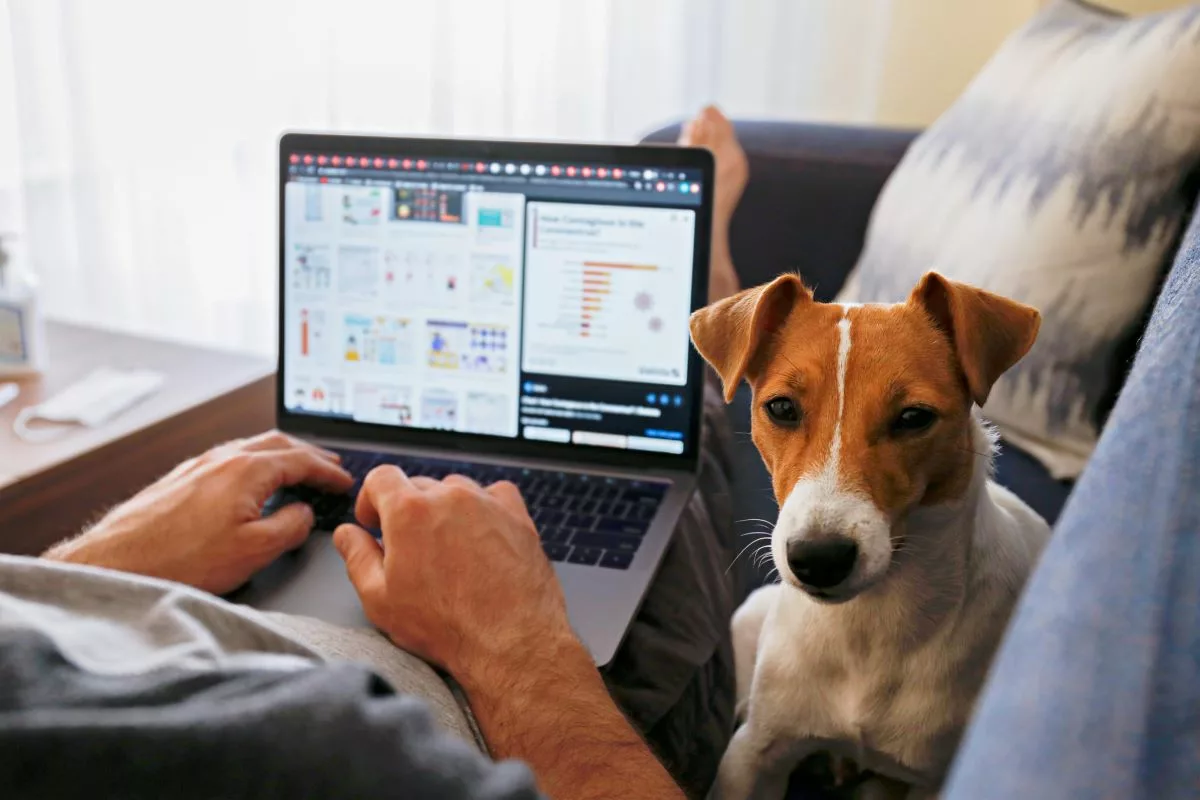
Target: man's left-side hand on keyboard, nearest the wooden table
202,524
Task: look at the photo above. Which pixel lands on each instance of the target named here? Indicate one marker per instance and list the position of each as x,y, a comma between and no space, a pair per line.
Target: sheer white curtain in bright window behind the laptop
137,137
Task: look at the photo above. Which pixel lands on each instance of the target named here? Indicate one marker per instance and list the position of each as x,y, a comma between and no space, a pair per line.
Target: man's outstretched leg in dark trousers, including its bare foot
675,675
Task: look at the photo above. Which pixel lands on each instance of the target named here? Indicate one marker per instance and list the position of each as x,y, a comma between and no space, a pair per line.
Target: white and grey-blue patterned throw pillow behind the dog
1059,179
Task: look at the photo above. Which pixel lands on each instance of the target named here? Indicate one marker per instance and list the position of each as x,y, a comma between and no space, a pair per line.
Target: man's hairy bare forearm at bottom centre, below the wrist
551,709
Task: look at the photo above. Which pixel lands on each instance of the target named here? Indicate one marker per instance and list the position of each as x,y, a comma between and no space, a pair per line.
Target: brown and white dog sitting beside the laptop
901,561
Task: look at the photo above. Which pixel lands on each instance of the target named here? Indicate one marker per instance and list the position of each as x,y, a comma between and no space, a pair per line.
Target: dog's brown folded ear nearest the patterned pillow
989,333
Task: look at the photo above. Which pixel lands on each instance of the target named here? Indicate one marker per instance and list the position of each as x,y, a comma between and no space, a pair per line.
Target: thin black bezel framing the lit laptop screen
473,149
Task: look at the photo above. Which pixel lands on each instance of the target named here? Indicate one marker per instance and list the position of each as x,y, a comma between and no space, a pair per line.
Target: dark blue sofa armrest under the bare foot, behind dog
811,195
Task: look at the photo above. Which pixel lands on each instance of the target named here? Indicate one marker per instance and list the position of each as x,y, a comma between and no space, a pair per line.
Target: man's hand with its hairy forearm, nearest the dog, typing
461,581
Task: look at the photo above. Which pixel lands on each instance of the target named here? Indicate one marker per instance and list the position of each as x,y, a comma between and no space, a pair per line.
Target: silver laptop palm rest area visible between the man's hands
310,581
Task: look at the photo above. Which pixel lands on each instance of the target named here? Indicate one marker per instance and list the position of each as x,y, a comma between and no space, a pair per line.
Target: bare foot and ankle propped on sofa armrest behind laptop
713,130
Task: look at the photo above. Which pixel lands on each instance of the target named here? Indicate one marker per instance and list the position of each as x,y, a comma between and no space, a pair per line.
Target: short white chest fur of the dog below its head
890,678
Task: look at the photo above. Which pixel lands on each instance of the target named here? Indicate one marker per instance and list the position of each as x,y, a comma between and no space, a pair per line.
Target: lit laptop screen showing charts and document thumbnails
539,300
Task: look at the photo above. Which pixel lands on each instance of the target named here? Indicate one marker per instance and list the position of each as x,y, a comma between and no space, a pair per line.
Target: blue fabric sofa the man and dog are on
1097,688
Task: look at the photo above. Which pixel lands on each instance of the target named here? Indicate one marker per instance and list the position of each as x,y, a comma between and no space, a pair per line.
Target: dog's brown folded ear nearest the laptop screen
730,332
